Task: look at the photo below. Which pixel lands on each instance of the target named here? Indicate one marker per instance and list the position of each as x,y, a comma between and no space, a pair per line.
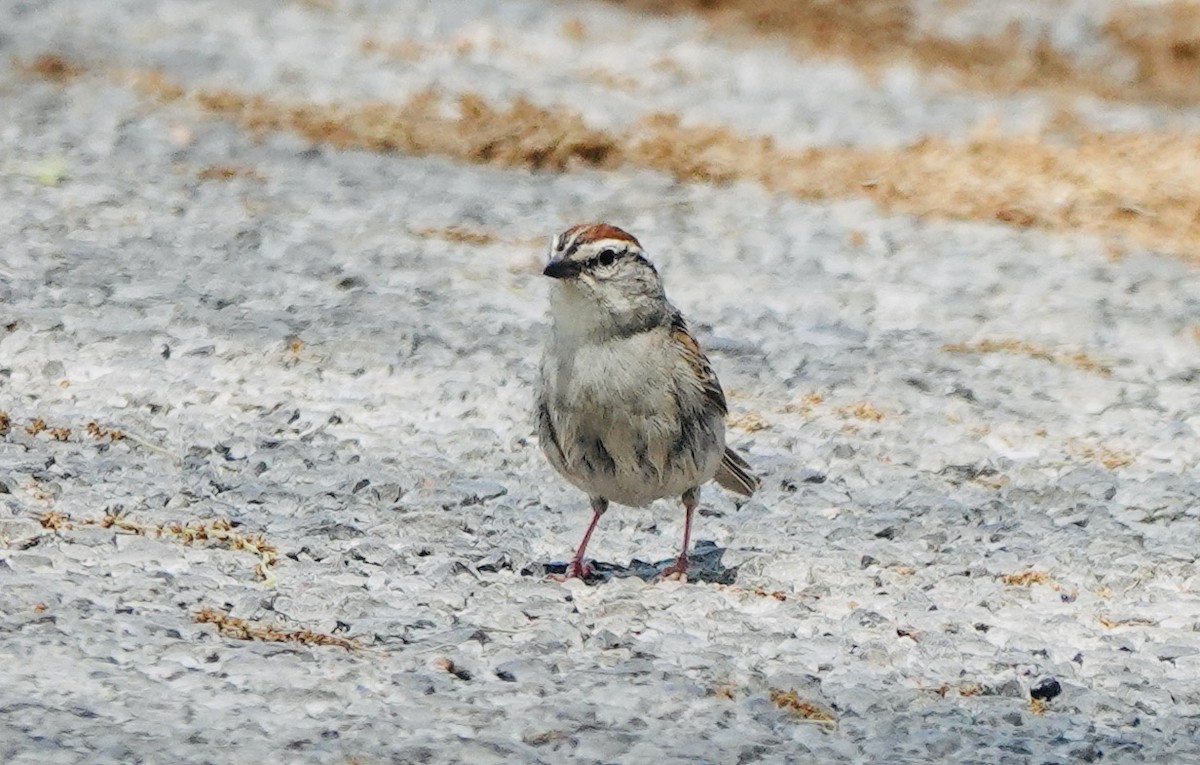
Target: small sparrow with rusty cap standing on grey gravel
629,409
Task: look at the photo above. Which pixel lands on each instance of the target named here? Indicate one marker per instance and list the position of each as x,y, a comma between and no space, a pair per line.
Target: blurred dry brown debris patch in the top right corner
1163,41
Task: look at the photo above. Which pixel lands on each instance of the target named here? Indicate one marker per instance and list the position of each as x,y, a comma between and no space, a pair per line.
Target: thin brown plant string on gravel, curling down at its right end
218,531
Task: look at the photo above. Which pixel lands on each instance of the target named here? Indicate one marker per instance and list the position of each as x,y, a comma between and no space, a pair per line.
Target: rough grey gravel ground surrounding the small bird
307,352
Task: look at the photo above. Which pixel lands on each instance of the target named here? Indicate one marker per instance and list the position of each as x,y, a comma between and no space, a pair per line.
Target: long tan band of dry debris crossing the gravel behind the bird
1132,185
